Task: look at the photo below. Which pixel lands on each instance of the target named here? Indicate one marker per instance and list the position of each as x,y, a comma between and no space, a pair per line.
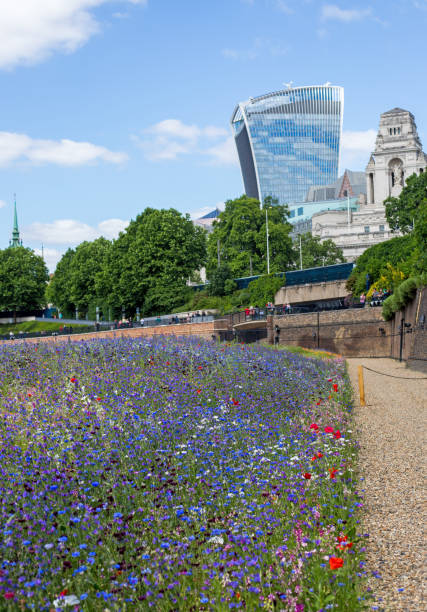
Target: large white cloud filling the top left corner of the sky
31,30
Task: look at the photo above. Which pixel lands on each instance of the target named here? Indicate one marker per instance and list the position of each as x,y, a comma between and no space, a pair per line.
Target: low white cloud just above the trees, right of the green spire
72,232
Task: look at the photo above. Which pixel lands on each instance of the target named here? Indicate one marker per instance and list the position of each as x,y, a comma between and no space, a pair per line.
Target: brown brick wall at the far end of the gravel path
352,333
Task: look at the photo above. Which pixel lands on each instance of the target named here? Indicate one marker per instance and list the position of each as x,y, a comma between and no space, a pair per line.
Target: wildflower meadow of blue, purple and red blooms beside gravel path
176,474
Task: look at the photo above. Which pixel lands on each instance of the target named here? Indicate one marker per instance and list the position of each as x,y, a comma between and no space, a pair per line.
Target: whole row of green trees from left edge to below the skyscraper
150,262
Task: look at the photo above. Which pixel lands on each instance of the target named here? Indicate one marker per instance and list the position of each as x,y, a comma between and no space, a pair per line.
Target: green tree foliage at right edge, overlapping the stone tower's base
403,212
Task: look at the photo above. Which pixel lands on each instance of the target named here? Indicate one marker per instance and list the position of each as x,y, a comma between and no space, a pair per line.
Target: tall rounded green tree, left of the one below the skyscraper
152,259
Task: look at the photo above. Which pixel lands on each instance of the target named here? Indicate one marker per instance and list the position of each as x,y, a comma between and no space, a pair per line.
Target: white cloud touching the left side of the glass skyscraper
171,138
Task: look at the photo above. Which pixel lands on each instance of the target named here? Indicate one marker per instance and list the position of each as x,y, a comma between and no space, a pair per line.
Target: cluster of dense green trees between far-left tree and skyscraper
146,267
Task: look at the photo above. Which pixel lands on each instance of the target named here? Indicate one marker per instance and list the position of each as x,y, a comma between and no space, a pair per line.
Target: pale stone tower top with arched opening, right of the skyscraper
398,154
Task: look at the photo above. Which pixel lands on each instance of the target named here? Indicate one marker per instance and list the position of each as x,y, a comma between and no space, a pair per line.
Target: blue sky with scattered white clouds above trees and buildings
109,106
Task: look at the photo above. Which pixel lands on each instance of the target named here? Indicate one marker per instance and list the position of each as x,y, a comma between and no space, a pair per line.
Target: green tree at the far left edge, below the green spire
23,279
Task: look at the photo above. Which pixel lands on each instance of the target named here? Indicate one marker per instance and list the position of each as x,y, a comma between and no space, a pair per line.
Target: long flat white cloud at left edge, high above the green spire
20,147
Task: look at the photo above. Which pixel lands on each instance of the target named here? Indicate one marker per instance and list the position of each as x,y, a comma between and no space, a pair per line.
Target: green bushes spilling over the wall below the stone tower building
397,251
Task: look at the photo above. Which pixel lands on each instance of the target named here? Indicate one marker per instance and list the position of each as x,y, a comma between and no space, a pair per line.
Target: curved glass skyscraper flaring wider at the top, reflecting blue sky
289,140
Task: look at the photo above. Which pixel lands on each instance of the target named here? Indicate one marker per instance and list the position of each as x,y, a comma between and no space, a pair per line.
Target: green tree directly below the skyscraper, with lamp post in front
240,237
